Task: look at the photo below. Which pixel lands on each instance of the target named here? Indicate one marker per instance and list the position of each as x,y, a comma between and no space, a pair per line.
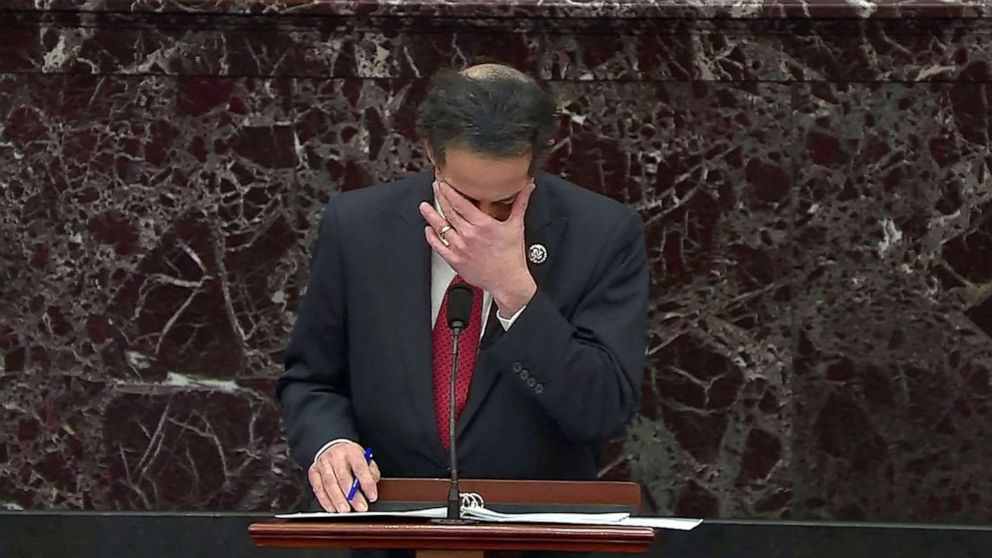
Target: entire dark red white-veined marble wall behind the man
814,178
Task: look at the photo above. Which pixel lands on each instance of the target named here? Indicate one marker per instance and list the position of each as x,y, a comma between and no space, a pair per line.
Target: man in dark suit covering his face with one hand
552,361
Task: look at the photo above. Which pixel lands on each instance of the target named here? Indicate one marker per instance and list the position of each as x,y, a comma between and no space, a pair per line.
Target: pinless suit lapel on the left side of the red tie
410,280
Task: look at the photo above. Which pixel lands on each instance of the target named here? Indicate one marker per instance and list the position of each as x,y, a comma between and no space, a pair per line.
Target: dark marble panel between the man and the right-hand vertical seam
709,167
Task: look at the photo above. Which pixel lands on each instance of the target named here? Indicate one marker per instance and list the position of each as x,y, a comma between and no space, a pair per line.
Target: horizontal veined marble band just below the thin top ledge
288,44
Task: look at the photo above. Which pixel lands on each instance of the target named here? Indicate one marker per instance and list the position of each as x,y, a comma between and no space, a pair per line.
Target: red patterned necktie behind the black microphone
468,347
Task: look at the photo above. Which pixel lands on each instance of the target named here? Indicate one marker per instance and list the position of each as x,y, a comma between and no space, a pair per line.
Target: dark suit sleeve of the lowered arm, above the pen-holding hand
313,391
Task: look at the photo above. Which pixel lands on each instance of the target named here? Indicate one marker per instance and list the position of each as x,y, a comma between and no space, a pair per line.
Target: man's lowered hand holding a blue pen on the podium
334,470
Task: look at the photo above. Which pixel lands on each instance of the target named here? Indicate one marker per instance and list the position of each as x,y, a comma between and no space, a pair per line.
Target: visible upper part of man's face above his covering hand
491,184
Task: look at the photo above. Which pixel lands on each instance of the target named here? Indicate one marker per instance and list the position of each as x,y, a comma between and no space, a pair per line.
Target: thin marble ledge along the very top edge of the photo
626,9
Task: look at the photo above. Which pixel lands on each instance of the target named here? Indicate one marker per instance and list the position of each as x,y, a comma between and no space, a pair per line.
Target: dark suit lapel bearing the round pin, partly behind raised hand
541,226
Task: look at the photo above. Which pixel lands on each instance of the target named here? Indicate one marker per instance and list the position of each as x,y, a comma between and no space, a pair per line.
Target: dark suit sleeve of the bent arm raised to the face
586,370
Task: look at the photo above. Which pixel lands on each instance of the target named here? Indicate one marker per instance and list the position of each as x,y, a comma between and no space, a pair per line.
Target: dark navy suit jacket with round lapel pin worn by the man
564,378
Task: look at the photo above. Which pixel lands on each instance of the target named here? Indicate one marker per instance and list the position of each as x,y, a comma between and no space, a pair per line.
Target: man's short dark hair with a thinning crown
488,109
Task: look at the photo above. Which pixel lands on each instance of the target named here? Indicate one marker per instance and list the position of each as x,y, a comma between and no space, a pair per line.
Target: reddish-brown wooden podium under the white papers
437,539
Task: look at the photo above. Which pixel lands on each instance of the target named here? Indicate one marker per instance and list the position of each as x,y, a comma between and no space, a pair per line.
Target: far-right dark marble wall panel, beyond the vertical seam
891,402
